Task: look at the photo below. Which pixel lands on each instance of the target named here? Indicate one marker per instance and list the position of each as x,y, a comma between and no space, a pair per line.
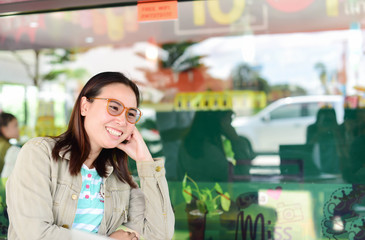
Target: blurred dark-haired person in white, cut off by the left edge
8,153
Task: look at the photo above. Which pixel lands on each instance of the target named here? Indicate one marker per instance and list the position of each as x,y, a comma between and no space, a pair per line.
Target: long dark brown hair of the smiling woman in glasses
76,141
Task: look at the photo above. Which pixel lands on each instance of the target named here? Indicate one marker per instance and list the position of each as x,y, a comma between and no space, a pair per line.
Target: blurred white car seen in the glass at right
285,121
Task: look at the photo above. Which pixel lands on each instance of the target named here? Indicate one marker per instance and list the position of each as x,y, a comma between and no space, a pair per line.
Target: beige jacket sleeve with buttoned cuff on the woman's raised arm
150,210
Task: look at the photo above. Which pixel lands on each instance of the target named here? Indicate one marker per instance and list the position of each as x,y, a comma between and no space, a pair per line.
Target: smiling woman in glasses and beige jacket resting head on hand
80,179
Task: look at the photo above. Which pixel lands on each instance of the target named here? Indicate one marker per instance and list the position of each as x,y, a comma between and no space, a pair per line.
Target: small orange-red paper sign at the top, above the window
157,10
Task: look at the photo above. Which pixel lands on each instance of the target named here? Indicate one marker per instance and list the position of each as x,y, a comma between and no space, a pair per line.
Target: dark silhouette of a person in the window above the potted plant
202,154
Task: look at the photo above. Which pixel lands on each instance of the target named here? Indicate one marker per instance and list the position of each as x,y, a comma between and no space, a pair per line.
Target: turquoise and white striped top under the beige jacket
90,206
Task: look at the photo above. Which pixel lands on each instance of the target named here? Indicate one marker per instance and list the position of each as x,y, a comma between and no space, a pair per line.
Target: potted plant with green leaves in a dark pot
202,203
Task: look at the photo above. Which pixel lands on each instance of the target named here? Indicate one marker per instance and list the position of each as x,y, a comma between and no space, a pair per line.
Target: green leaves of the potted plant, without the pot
207,200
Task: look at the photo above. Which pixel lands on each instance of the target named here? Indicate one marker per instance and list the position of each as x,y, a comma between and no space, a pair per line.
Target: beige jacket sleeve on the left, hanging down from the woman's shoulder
28,195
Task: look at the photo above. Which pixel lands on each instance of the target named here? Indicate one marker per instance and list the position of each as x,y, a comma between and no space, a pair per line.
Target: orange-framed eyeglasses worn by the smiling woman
116,108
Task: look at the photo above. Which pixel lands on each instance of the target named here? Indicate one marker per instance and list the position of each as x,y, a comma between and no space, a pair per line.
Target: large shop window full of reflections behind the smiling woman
264,97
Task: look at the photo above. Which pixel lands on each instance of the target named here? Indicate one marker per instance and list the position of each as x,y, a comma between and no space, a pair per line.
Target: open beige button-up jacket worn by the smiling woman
42,198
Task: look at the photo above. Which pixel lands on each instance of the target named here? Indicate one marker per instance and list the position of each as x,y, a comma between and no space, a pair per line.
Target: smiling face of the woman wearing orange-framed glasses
103,129
